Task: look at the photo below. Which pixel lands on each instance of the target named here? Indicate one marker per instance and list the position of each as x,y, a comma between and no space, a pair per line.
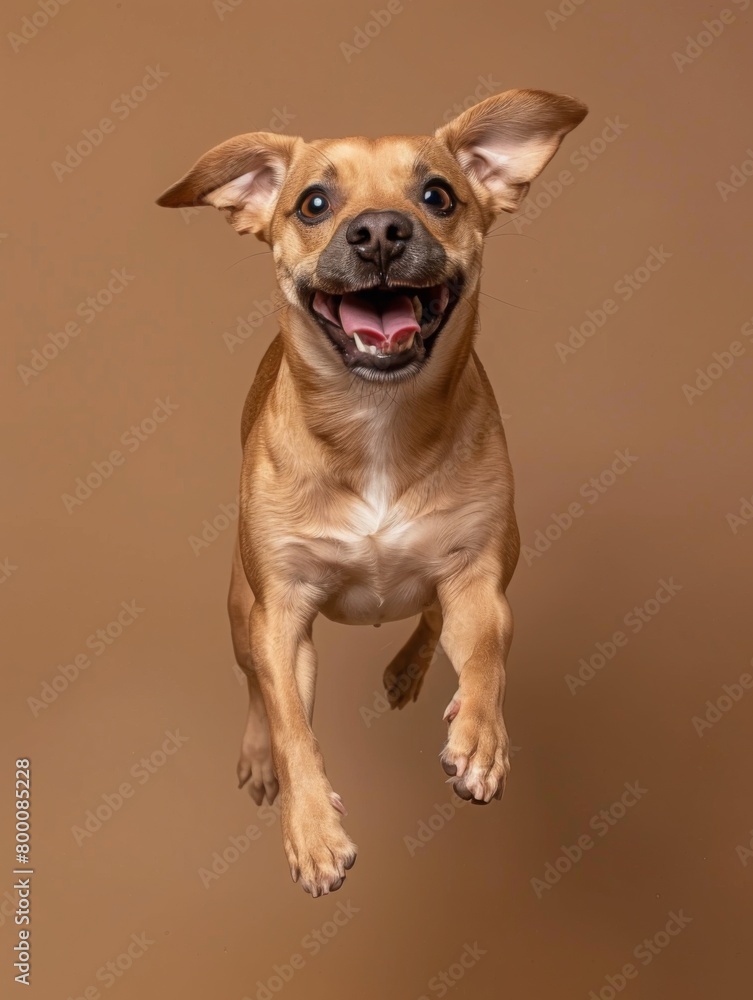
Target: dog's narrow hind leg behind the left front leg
255,761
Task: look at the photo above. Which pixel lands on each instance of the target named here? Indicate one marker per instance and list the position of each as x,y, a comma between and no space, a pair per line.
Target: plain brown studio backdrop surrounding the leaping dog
162,337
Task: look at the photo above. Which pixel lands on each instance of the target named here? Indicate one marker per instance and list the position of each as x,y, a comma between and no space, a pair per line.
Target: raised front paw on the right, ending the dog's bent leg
476,754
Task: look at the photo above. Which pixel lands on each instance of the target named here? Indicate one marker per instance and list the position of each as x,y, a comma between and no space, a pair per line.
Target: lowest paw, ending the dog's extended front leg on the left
319,851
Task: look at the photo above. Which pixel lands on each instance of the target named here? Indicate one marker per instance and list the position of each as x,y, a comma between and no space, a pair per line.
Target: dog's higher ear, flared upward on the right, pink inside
504,142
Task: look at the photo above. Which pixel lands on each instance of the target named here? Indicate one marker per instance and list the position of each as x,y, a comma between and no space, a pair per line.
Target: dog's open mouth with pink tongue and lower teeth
387,331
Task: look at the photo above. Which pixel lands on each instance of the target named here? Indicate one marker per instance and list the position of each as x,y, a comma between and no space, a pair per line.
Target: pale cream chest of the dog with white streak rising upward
370,554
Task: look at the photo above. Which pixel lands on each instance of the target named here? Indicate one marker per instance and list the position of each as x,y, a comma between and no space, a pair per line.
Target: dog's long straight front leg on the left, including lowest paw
318,849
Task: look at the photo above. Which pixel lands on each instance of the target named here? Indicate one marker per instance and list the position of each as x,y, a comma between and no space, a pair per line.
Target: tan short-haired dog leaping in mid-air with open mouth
376,484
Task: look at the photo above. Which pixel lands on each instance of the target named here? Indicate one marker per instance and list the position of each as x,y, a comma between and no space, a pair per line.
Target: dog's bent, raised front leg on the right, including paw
476,637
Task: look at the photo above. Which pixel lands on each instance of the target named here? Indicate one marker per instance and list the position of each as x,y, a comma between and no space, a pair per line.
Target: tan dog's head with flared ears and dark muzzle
376,242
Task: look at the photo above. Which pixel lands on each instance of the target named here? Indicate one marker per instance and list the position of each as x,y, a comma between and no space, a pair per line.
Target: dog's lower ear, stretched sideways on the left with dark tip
242,177
